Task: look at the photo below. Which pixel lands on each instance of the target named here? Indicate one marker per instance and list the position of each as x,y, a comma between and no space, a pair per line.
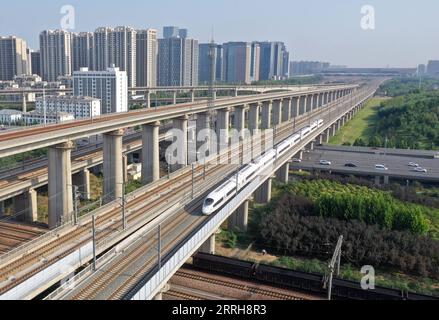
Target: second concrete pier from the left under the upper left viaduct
113,166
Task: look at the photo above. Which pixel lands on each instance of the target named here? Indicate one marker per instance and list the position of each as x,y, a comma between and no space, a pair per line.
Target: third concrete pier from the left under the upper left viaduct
150,152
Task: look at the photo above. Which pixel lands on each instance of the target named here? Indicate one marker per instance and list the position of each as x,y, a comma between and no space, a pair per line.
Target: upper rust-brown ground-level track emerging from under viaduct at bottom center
237,286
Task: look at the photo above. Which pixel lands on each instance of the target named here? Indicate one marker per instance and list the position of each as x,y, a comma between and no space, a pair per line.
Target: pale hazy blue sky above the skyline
407,31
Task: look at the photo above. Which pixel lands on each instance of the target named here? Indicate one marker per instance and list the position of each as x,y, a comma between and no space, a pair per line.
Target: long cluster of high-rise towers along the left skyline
174,60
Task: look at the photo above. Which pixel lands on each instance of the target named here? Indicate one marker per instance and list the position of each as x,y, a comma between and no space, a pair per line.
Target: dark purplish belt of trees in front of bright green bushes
291,228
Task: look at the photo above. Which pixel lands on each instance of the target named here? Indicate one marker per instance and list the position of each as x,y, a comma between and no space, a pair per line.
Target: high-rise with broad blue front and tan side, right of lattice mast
237,62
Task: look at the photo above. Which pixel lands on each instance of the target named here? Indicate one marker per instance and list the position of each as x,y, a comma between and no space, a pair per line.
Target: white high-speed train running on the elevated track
220,196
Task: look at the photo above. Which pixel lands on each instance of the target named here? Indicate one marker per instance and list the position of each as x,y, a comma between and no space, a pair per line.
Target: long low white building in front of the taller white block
79,107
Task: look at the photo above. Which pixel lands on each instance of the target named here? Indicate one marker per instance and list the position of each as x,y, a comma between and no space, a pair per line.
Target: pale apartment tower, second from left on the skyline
55,54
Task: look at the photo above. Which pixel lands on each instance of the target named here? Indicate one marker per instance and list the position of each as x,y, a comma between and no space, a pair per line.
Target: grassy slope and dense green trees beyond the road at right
408,120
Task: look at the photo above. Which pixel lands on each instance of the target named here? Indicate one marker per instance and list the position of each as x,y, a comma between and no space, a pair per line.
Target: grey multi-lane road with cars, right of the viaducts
398,165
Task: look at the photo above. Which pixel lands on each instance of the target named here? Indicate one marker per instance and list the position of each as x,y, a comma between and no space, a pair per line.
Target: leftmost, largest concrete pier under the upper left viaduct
60,183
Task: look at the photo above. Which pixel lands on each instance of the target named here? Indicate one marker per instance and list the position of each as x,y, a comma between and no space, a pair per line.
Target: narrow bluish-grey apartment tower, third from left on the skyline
82,51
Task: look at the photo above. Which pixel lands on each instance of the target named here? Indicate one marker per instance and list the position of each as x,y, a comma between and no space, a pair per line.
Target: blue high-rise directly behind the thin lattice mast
205,63
